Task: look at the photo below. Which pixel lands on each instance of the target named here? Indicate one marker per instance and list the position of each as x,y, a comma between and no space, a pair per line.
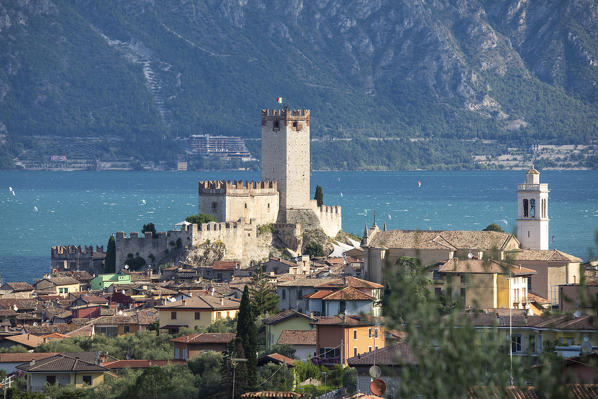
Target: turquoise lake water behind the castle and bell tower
60,208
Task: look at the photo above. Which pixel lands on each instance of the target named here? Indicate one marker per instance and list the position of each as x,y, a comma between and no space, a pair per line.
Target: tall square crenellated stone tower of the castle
286,159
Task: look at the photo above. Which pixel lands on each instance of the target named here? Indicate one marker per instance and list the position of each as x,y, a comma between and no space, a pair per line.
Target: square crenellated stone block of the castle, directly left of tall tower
230,201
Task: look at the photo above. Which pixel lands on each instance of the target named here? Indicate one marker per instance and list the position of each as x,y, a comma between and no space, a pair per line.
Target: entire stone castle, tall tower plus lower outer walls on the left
281,198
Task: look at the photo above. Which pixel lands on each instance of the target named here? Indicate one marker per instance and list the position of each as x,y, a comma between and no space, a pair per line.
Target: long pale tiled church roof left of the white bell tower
450,240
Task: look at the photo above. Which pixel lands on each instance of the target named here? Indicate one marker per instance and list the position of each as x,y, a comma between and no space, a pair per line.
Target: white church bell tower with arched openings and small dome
532,212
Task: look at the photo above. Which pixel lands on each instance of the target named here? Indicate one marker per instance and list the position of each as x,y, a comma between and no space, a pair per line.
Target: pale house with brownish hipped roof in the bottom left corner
78,369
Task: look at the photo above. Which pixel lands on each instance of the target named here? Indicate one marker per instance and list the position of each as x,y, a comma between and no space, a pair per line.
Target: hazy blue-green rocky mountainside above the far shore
510,70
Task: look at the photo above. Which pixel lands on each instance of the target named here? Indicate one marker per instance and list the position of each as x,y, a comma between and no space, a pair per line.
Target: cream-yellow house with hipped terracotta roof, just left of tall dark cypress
200,311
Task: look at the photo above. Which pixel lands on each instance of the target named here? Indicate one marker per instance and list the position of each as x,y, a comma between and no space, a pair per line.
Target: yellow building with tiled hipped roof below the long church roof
483,284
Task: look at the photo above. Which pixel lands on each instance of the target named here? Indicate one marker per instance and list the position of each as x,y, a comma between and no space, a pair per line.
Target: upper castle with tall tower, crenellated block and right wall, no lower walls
283,194
